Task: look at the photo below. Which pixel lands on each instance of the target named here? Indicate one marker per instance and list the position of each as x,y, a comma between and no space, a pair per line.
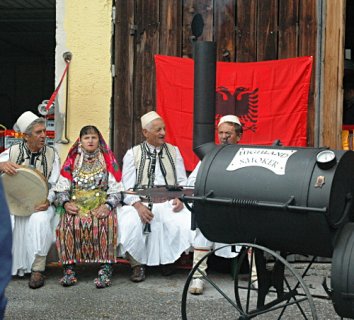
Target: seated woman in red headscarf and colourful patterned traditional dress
88,191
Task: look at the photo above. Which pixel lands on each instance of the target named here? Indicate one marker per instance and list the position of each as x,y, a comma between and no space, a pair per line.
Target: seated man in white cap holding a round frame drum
32,235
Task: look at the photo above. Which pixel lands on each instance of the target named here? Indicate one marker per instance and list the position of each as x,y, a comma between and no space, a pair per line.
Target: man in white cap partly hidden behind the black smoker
229,132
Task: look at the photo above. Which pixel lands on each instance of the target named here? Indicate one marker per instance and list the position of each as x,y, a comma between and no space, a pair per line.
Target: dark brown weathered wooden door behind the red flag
244,30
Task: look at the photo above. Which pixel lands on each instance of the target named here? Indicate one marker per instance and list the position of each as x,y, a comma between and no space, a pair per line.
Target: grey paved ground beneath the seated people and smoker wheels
157,298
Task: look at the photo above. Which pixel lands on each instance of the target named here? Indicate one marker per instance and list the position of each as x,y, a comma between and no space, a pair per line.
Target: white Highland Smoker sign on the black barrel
272,159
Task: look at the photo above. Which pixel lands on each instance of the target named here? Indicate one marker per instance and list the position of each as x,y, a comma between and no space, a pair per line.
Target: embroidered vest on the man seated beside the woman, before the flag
166,158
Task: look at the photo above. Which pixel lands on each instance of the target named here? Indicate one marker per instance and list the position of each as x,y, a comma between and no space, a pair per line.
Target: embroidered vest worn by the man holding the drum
43,162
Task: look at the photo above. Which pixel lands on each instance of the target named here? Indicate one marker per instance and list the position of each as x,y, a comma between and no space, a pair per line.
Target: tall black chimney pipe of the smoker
204,97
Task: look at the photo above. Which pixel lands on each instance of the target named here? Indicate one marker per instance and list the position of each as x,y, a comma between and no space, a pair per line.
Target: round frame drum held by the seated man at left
24,190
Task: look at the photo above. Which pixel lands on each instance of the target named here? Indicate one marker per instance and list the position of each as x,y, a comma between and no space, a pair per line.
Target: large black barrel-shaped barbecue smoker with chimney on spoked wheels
275,200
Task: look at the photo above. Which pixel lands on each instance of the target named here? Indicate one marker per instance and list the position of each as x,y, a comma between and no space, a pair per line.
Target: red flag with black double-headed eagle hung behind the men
269,97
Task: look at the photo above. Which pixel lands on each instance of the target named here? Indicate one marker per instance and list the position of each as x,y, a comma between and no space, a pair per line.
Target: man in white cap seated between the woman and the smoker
153,163
